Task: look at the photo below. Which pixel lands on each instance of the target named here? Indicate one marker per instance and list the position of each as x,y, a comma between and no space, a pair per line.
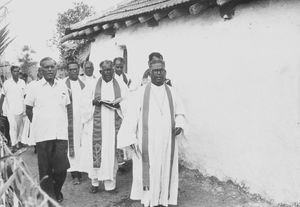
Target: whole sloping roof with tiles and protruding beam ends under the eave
141,11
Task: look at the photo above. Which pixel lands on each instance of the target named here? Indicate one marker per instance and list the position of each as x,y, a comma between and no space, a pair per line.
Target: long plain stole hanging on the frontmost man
145,135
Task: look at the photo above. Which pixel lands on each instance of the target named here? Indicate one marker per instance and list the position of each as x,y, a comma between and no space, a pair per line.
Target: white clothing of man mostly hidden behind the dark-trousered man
28,129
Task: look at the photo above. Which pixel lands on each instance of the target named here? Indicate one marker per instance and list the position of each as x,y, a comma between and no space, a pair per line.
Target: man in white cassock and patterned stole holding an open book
101,117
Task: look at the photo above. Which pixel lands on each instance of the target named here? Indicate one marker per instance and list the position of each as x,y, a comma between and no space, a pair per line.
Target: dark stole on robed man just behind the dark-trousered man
70,117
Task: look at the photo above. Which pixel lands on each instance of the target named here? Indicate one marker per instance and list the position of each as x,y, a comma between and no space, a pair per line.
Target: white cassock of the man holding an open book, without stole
108,169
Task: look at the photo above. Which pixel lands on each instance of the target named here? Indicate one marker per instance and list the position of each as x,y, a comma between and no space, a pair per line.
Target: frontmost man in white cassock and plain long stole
155,118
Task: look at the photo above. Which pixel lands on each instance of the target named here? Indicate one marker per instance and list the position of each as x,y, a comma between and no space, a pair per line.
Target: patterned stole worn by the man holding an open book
97,125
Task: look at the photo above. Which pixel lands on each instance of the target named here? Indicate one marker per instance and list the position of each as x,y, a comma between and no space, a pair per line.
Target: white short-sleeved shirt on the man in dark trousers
50,113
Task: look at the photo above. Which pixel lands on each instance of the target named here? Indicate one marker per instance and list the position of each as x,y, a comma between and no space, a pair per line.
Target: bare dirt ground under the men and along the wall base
195,190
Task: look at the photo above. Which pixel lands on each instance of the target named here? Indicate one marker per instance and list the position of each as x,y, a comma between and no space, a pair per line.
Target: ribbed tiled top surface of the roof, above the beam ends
128,9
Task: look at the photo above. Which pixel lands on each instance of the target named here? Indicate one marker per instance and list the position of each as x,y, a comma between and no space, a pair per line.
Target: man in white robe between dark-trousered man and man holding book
75,87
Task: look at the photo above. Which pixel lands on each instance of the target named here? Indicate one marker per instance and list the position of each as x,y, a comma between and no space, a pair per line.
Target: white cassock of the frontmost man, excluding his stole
159,145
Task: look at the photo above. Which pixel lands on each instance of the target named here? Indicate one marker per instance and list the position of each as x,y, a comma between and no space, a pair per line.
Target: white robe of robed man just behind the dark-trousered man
77,126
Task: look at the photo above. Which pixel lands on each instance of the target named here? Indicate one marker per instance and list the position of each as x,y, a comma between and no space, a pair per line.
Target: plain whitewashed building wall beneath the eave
239,80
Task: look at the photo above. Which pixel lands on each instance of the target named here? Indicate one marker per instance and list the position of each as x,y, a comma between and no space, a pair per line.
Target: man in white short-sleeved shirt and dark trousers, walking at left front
50,98
